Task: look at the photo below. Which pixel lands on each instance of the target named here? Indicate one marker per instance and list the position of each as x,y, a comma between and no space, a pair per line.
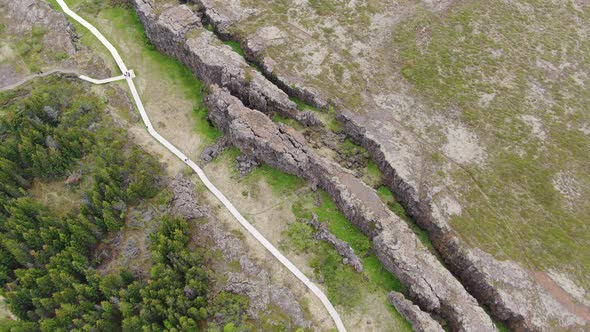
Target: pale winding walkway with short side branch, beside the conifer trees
129,75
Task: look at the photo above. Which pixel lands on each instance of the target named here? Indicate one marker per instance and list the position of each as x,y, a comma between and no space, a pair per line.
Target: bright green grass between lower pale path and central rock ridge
344,286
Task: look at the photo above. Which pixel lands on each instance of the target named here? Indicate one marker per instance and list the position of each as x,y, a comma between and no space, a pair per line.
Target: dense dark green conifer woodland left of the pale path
49,263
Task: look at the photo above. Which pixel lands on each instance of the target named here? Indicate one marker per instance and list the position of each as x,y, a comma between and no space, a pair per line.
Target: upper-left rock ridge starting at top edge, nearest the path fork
178,31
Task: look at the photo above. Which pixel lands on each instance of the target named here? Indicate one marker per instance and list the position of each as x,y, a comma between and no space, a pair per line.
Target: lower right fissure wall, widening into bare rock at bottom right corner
504,286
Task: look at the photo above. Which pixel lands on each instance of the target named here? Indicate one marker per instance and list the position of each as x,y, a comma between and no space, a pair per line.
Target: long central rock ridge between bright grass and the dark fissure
429,283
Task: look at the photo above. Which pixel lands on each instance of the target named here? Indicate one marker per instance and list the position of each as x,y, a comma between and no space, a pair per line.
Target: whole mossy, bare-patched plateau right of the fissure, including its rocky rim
475,113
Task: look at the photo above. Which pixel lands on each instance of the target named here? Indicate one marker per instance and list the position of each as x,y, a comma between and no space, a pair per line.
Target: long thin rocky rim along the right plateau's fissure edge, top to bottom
512,295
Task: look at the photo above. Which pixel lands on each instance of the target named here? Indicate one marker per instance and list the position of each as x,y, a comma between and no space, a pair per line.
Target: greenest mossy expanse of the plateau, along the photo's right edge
513,72
